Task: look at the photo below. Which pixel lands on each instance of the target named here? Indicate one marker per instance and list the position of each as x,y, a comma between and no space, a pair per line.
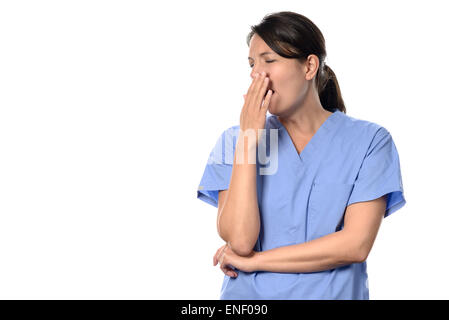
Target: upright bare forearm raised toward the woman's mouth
239,221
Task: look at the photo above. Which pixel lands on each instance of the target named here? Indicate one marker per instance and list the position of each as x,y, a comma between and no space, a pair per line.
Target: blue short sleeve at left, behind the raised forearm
218,170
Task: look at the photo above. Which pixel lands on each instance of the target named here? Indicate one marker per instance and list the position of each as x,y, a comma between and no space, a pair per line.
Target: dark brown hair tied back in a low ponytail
294,36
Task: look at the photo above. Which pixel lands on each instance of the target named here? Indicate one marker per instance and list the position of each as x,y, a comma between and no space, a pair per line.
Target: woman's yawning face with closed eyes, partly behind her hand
288,77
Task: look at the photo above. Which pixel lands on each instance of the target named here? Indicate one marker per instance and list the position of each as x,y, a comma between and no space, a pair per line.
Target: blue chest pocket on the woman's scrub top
327,205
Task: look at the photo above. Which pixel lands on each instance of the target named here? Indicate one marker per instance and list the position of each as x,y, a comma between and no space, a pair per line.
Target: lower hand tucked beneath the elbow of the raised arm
228,259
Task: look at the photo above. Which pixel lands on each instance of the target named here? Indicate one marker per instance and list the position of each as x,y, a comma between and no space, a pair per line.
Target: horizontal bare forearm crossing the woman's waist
331,251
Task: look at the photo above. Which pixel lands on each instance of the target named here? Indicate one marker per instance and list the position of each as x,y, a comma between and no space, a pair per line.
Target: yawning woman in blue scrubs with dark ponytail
303,231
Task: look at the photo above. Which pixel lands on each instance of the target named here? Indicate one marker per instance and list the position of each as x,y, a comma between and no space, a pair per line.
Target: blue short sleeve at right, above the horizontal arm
380,174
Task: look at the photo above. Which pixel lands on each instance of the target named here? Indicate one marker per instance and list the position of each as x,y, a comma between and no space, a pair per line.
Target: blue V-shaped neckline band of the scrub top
312,145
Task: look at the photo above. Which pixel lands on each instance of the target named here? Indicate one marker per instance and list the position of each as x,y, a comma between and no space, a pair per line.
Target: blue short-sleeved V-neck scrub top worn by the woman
348,160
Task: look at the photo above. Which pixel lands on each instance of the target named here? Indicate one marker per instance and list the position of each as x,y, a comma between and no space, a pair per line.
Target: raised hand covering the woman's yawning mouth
253,115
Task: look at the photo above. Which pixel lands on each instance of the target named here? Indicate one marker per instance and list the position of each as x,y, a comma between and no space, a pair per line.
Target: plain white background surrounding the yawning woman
109,110
